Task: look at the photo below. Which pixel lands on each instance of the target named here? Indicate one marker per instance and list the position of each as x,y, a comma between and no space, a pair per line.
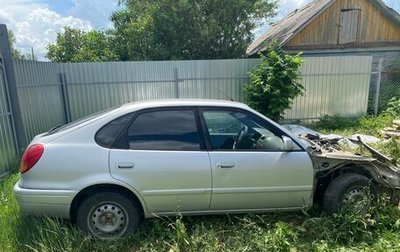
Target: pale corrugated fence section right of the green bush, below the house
334,85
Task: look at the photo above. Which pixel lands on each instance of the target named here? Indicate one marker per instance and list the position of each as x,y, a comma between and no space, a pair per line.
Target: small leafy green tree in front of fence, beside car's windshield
274,82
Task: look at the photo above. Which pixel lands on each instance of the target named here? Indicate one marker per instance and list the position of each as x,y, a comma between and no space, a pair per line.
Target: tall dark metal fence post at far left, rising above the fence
5,51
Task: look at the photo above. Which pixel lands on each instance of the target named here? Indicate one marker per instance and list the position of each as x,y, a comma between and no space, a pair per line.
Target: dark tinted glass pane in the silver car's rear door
163,130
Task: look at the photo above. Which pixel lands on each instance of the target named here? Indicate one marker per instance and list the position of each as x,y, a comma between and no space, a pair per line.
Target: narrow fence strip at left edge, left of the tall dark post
8,151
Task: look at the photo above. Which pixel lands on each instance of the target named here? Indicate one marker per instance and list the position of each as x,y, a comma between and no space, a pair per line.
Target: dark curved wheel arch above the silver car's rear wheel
98,188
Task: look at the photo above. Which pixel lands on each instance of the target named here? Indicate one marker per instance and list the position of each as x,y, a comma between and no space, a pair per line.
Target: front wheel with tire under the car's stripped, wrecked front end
349,193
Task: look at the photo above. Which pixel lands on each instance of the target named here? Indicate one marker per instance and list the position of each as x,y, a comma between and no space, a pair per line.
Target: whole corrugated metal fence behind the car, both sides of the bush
52,94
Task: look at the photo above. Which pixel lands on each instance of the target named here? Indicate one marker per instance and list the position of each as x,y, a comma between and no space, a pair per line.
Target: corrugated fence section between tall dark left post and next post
40,96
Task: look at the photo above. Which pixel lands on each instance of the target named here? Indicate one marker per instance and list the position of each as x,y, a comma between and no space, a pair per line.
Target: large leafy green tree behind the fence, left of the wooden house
187,29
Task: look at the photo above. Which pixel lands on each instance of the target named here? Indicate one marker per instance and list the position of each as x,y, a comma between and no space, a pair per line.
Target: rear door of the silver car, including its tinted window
162,155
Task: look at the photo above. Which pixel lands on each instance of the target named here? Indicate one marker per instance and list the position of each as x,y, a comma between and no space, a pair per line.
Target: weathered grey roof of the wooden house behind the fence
289,26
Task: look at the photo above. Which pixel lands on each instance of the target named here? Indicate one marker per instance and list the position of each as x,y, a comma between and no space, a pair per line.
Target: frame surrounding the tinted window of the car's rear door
124,132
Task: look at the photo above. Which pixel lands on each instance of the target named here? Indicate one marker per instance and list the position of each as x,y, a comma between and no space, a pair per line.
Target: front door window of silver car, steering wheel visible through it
234,130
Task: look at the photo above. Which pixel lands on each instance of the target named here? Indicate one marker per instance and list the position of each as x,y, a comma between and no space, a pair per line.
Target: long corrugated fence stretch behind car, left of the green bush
52,94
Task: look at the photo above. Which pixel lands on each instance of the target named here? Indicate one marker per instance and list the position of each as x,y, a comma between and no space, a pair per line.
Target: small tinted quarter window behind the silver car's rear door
109,133
